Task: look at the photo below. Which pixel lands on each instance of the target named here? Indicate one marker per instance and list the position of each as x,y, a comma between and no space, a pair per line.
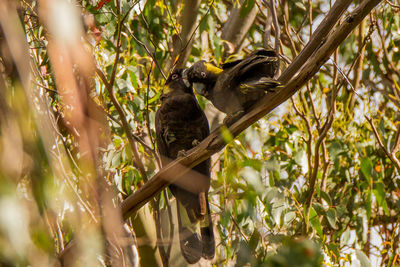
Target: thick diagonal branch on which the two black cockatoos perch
214,142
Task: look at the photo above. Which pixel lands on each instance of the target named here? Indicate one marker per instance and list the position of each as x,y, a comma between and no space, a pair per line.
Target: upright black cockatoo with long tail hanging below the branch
180,125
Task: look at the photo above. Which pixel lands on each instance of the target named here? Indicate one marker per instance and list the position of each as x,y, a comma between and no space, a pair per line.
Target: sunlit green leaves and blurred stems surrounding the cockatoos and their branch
68,158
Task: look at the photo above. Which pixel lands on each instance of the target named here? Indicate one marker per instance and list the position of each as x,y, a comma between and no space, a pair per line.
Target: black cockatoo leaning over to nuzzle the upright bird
238,85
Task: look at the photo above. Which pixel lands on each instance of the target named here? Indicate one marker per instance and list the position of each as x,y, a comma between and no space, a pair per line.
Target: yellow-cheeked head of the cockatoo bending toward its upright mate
201,74
